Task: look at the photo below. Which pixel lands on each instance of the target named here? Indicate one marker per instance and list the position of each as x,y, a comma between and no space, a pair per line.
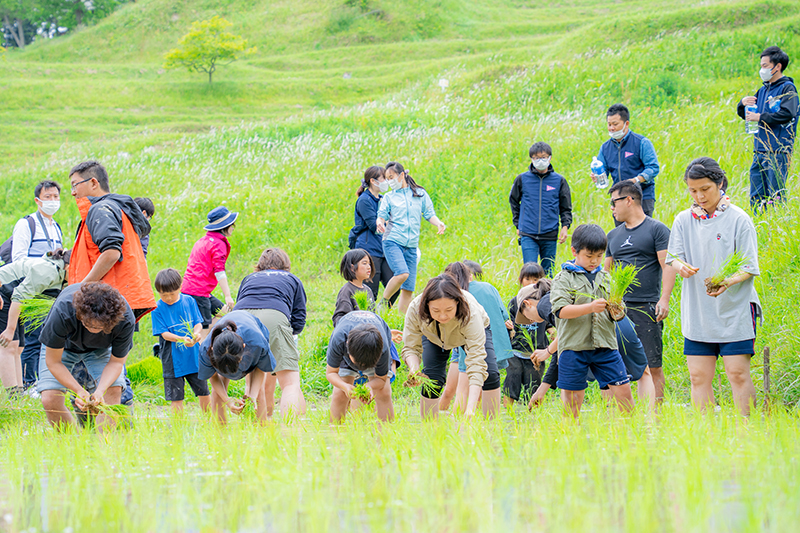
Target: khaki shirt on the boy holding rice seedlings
588,332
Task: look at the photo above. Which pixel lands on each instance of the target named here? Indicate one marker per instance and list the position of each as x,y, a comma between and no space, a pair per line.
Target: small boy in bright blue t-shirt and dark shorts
178,347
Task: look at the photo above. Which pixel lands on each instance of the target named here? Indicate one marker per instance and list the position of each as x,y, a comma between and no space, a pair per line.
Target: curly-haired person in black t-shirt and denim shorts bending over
89,323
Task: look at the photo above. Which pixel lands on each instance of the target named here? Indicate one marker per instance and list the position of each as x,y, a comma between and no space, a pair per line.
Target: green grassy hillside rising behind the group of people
284,136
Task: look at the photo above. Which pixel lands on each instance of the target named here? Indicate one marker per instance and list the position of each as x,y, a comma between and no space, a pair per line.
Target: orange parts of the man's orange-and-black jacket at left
129,276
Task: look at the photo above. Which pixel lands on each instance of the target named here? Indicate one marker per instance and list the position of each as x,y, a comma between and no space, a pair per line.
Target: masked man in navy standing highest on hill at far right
776,106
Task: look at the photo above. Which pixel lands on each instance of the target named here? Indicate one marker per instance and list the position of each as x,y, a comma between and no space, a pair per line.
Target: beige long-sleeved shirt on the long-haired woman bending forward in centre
453,334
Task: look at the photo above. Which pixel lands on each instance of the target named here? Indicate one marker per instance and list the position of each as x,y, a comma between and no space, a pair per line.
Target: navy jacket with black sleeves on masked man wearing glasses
538,201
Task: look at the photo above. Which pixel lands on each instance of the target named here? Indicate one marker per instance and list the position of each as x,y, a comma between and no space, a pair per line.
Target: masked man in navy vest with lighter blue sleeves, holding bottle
629,156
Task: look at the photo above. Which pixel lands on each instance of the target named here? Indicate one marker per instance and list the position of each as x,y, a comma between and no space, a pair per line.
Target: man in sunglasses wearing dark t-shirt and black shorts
642,241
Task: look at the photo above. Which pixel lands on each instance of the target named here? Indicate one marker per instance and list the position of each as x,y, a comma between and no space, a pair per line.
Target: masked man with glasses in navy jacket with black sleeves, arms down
540,199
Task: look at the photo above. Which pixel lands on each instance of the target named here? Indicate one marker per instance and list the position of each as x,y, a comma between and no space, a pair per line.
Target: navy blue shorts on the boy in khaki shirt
605,364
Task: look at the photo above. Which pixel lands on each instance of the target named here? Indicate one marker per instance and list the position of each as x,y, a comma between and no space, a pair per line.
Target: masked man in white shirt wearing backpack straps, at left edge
34,235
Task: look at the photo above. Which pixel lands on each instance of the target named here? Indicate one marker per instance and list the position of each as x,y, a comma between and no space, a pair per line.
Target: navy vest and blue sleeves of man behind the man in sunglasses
632,156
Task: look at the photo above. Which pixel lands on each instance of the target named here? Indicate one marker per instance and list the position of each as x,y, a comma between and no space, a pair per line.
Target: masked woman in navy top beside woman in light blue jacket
363,234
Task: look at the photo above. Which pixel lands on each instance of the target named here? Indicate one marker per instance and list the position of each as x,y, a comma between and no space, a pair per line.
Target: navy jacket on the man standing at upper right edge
777,103
